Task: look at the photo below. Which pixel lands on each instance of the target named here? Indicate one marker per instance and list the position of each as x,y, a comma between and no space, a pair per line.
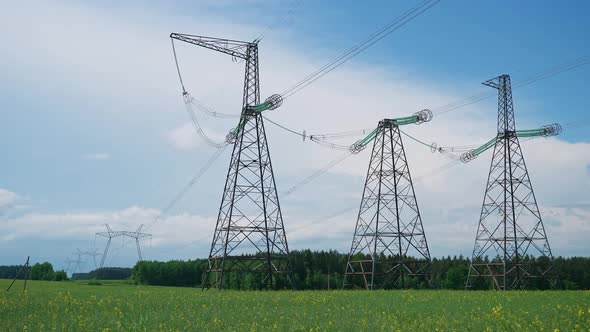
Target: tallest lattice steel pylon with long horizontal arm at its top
249,235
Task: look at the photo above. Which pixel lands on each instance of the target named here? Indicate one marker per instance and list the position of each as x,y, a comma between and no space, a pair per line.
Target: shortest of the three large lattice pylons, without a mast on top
389,248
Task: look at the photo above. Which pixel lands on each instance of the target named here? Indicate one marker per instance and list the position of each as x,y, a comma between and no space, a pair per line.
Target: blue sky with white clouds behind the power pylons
93,127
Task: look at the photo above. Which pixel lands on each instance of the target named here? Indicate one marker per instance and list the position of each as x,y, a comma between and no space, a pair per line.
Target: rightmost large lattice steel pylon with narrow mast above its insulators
510,229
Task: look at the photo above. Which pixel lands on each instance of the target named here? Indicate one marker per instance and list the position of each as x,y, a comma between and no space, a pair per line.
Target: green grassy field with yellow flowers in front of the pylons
115,306
